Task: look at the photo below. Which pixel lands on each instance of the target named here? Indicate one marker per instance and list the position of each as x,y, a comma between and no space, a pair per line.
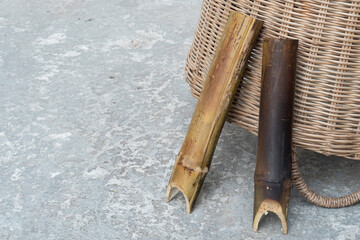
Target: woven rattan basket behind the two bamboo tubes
327,101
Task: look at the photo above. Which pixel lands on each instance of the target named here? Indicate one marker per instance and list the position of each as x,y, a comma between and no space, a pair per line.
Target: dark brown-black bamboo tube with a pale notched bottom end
273,164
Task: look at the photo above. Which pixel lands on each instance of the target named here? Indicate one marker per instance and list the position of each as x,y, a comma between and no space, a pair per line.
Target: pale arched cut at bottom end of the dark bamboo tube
270,205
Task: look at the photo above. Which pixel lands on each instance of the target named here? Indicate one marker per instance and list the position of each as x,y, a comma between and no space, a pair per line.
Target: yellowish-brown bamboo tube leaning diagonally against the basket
193,161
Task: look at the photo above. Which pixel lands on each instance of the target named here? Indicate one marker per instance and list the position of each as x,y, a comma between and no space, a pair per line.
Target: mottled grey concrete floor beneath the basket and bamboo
94,109
